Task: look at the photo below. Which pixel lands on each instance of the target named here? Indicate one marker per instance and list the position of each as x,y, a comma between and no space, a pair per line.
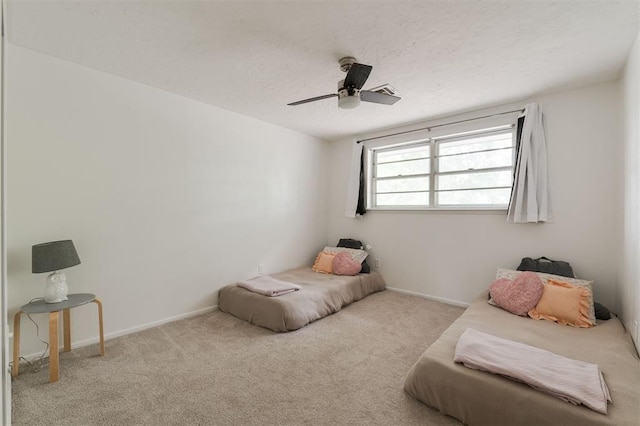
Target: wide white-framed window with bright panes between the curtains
470,170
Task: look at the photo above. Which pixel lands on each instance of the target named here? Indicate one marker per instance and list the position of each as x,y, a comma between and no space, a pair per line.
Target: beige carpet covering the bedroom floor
215,369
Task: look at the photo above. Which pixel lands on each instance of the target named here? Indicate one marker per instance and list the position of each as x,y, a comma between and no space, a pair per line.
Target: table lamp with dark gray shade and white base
52,257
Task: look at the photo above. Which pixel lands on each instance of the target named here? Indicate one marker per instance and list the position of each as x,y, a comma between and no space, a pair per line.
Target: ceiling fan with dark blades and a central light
350,91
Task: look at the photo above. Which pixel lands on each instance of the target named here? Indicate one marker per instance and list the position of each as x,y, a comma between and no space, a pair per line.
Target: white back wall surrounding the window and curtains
455,256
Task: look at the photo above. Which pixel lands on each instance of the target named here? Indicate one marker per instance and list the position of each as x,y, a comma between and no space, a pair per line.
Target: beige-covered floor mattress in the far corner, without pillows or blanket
320,295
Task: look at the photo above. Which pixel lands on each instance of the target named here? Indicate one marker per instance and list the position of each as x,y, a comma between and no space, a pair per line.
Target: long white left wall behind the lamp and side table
165,198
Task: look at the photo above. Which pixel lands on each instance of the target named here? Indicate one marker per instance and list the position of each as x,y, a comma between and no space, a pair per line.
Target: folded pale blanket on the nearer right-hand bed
571,380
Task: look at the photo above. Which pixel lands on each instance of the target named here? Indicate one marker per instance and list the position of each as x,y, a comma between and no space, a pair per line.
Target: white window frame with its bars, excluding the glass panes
434,139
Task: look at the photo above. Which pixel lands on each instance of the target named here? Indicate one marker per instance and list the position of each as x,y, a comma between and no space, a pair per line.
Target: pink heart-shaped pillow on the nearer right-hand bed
517,296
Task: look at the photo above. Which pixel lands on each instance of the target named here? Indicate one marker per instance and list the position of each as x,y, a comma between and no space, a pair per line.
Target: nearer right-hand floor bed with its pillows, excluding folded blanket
562,327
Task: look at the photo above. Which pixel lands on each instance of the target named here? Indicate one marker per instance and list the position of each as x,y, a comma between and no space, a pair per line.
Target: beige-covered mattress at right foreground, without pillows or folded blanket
481,398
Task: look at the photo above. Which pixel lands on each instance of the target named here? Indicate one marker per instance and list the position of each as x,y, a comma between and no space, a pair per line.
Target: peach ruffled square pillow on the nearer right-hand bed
563,303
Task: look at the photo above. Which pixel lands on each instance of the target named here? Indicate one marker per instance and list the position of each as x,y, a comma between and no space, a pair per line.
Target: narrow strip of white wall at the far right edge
629,288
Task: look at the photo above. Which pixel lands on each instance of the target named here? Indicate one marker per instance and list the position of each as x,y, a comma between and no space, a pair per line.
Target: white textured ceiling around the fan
254,57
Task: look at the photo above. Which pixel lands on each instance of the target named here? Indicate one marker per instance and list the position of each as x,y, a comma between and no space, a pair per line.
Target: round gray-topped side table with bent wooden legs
53,309
